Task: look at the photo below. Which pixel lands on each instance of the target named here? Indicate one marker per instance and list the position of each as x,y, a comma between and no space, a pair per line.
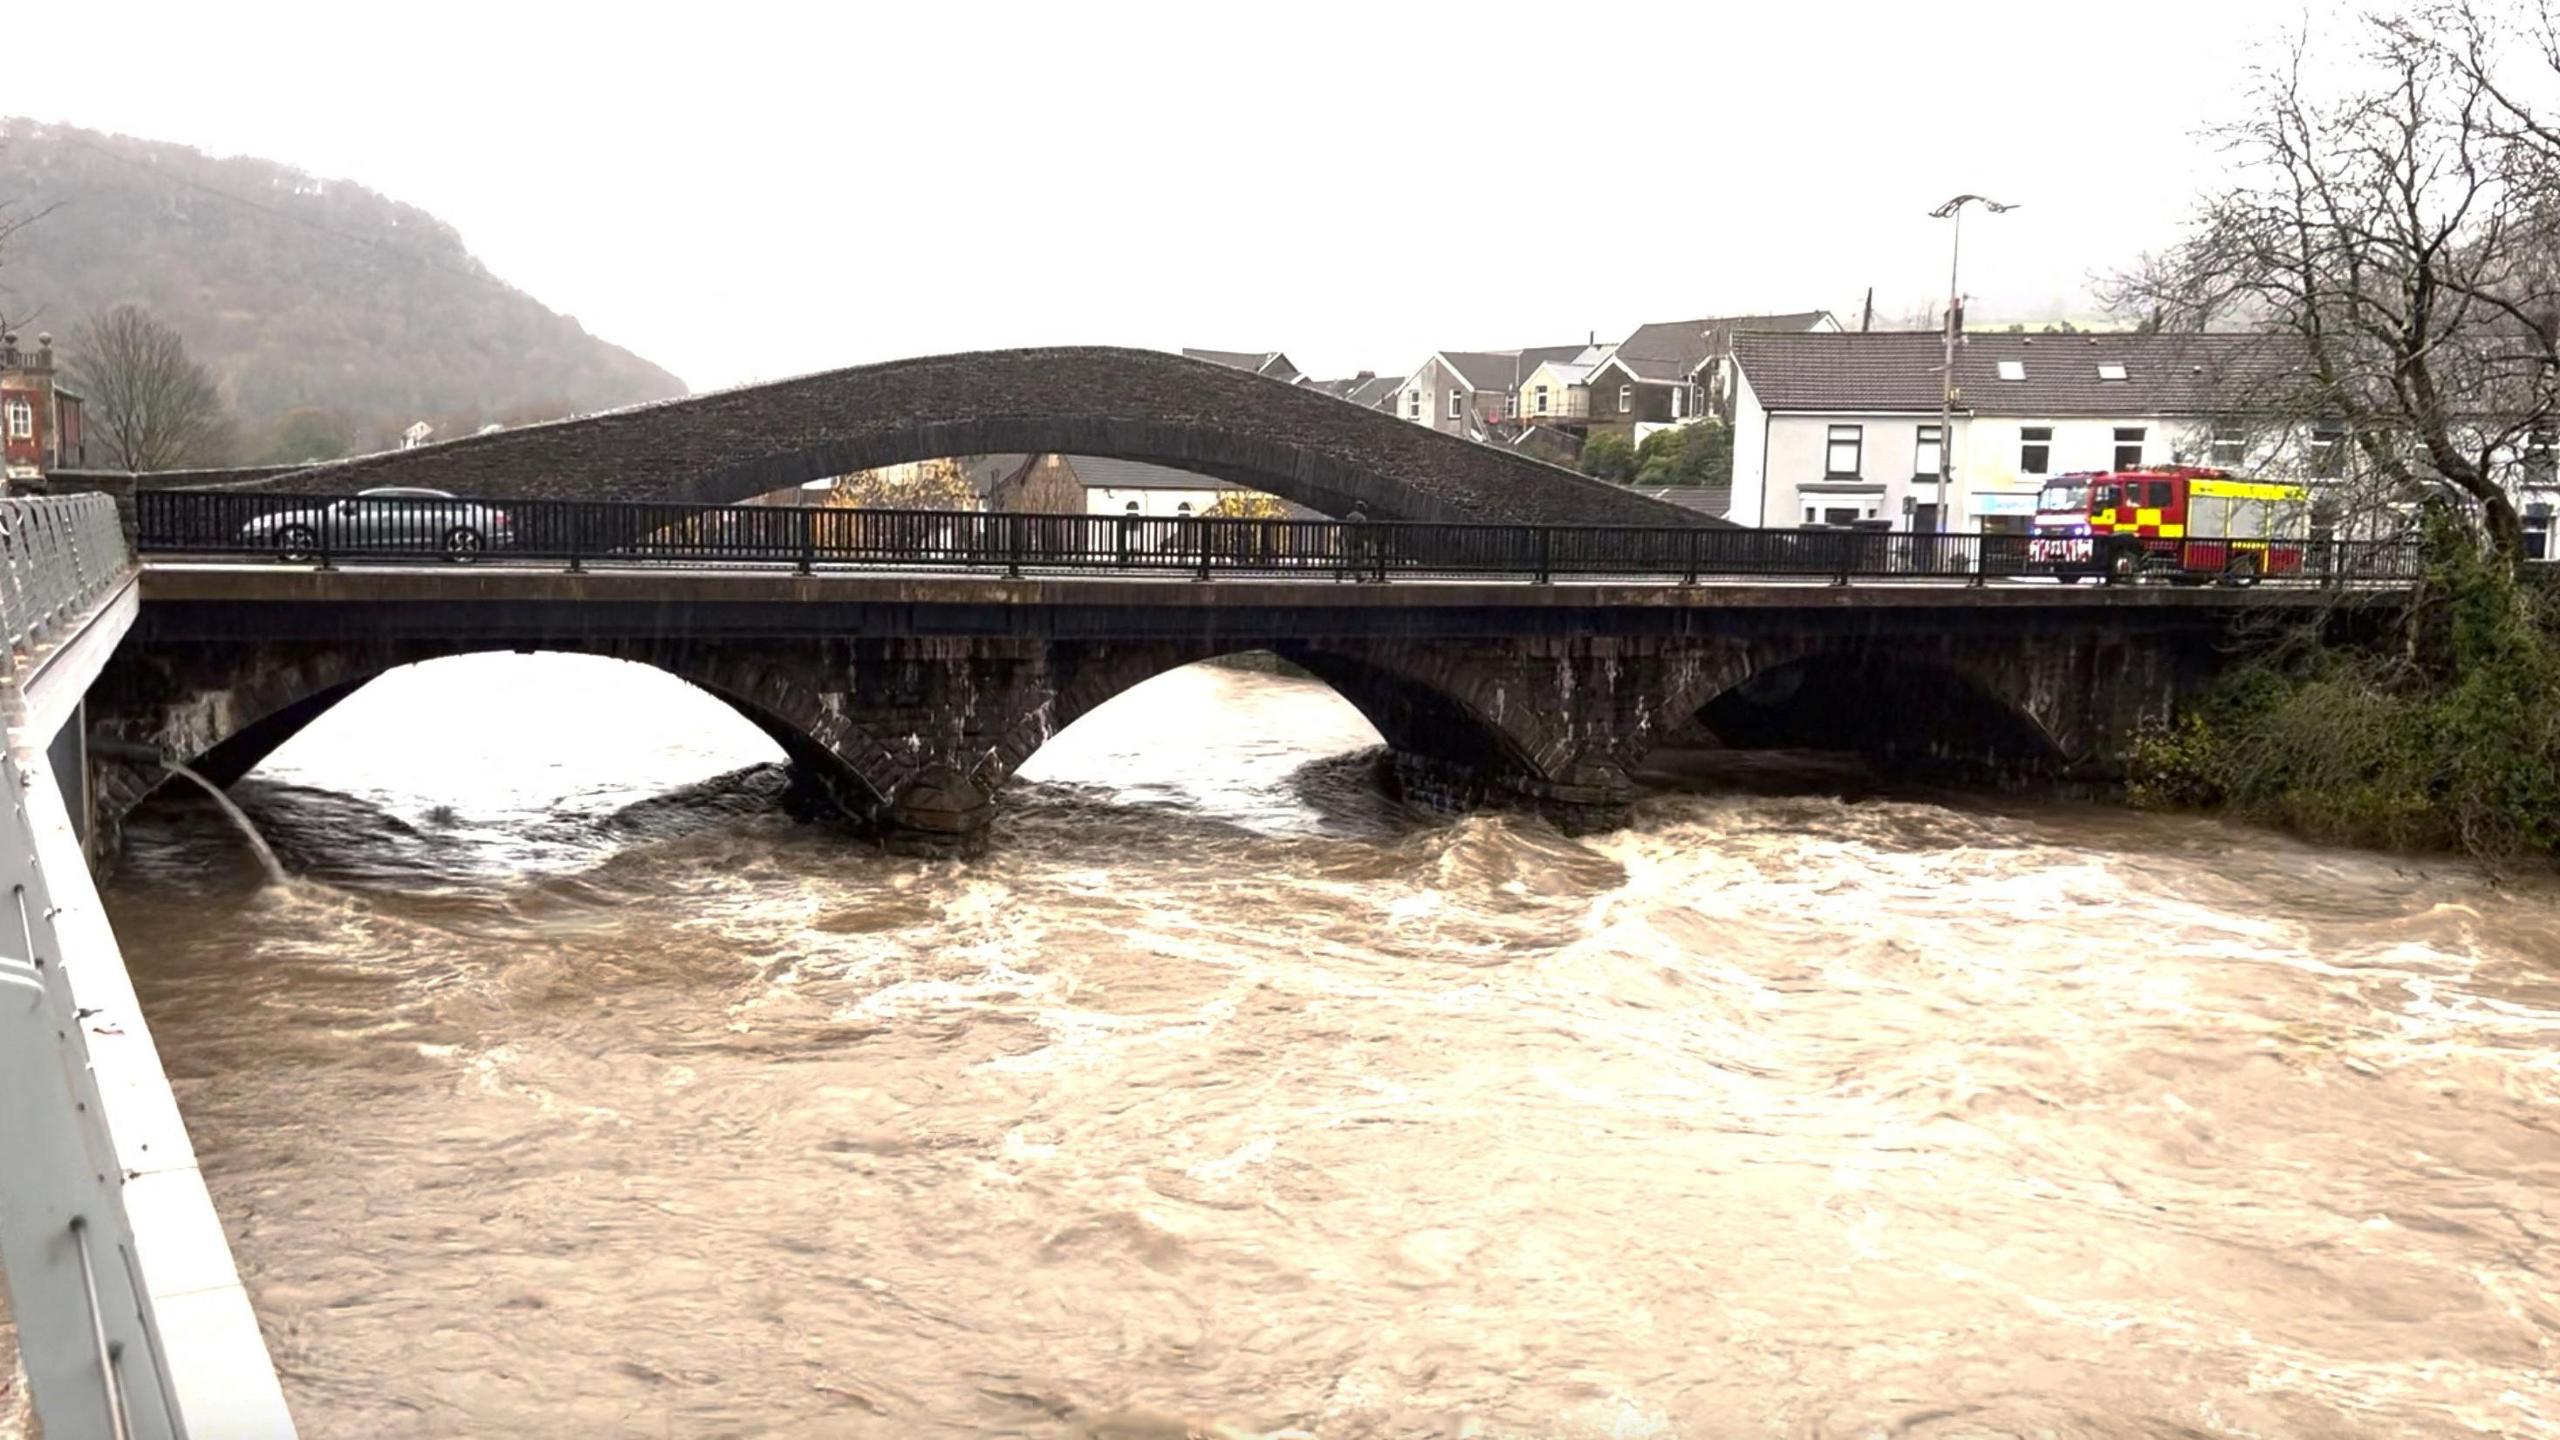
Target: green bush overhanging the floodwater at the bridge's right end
2449,737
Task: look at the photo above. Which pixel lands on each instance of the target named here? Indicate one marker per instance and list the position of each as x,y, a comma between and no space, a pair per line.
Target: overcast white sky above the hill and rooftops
751,191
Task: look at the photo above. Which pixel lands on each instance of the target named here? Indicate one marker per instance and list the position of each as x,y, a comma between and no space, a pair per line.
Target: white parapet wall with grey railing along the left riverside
132,1318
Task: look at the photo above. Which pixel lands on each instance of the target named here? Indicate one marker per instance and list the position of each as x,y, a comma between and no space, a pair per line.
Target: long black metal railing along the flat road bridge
393,529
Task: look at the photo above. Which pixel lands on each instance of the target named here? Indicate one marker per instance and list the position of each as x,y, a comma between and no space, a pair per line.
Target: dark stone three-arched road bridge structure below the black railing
905,703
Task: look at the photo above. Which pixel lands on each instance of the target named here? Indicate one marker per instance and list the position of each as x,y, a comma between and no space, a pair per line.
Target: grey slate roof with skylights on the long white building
1901,373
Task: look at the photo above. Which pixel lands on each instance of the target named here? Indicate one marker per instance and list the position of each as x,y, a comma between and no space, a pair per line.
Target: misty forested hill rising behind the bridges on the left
321,309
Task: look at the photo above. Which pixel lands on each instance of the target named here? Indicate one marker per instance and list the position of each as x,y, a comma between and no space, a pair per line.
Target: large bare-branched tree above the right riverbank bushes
2390,224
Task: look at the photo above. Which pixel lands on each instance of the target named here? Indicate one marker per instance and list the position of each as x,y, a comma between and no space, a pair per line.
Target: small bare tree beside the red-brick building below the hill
147,404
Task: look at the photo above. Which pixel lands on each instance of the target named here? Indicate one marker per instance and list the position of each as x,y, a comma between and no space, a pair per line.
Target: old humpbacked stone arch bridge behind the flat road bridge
1117,404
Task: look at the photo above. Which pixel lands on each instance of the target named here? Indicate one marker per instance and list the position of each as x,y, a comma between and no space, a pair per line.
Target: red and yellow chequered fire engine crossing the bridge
2182,521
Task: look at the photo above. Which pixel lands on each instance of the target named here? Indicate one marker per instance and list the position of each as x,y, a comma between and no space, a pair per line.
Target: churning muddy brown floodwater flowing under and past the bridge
580,1093
